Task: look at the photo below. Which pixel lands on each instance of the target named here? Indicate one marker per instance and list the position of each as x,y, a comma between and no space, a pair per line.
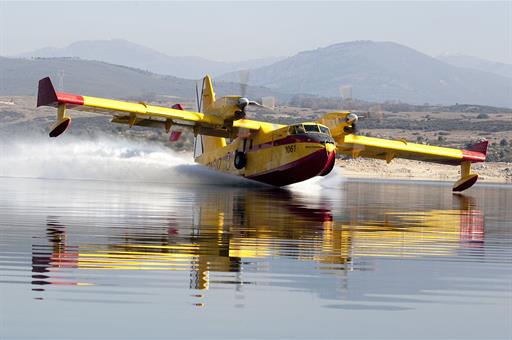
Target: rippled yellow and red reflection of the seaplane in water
231,227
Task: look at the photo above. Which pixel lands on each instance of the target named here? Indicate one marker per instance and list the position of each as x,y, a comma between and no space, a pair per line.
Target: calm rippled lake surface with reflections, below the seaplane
85,259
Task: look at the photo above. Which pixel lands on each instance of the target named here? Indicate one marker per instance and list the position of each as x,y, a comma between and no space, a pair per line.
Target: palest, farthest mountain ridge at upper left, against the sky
122,52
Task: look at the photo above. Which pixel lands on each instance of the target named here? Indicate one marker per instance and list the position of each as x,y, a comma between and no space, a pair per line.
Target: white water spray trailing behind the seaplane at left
105,158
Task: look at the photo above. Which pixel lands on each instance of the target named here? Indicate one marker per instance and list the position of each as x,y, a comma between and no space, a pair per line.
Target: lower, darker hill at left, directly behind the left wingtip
95,78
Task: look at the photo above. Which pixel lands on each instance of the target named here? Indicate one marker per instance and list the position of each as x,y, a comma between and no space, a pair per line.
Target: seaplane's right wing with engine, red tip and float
342,126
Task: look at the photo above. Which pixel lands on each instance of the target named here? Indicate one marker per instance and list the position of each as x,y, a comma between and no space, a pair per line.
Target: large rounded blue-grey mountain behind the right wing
380,71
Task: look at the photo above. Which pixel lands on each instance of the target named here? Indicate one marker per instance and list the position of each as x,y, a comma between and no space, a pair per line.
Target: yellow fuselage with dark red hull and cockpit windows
279,157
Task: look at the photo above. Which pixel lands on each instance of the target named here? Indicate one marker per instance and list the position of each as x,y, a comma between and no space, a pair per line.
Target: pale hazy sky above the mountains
245,30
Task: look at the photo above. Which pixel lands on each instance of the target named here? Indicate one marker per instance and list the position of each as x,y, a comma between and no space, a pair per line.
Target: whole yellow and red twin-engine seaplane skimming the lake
274,154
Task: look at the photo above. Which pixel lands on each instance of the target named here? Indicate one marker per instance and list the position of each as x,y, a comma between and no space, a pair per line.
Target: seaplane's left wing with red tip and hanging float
133,113
